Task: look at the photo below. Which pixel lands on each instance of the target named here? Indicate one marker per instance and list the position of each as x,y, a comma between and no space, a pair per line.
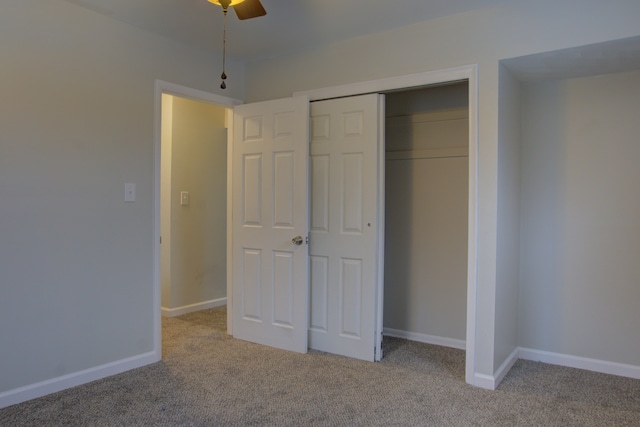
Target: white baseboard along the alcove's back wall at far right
596,365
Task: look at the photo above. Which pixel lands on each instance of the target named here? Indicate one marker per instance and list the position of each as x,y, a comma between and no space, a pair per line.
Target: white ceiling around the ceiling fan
290,25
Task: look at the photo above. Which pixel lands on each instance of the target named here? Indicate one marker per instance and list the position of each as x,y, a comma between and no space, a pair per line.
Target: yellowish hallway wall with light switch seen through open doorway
198,230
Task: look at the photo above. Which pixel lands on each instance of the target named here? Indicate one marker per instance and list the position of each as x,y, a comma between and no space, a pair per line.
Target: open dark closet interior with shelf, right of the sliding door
427,214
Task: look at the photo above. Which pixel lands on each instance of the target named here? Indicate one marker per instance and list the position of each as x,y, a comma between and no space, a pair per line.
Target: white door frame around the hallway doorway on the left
163,87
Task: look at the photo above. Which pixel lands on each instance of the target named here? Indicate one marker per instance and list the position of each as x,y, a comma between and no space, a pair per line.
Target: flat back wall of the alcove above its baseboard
580,217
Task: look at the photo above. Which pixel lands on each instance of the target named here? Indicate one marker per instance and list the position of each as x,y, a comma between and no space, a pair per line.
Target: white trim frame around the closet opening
420,80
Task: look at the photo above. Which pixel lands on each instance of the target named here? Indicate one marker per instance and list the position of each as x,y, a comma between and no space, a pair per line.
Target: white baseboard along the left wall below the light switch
33,391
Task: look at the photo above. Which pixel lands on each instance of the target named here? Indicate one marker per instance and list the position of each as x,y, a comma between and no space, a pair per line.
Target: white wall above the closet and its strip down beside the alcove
481,37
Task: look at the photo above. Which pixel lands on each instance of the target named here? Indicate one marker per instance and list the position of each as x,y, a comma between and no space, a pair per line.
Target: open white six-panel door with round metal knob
270,208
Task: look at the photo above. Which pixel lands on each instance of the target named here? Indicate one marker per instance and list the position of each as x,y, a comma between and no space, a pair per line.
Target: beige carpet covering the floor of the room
207,378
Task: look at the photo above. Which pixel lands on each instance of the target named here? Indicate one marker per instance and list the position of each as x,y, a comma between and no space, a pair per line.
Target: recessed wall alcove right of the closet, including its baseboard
569,118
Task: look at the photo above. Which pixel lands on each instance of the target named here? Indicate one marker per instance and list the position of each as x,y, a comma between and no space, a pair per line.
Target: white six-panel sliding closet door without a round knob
346,226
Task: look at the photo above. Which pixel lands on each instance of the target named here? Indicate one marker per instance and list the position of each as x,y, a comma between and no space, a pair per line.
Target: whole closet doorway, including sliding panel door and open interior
426,215
